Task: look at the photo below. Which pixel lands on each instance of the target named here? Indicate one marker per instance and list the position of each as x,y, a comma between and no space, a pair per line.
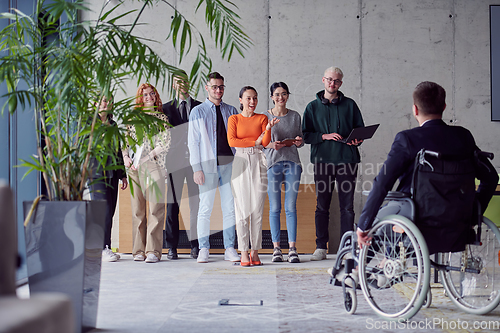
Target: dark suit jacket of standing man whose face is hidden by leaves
178,154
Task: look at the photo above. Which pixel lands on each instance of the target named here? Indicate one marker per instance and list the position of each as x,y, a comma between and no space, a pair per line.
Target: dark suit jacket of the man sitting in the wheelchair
433,135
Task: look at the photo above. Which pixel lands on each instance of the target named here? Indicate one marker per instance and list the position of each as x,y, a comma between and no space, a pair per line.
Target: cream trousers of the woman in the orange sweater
249,186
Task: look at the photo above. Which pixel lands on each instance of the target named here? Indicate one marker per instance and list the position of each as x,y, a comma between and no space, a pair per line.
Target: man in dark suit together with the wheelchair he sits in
435,209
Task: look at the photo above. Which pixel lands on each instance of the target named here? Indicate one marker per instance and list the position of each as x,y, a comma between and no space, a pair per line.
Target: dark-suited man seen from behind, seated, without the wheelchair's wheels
444,203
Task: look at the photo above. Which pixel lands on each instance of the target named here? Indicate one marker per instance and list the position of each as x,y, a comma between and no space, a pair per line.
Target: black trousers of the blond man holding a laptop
325,175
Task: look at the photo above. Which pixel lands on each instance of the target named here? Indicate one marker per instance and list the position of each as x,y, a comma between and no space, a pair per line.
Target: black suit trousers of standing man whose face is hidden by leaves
175,184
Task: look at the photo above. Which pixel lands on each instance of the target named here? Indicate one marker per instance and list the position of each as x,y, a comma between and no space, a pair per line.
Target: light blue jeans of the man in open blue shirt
221,179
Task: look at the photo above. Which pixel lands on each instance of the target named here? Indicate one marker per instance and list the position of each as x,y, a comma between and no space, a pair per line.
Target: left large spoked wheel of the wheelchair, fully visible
395,268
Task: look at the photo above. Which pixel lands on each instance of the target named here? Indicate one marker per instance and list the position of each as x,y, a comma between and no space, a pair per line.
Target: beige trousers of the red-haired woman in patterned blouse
147,227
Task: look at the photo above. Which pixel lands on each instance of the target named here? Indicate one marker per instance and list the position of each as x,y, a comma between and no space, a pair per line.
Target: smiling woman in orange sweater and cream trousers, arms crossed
249,132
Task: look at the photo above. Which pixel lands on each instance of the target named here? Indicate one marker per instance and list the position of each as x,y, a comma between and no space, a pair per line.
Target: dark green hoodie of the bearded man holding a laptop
329,118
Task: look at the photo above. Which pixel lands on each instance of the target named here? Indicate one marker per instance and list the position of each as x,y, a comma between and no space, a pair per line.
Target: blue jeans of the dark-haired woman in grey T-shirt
288,173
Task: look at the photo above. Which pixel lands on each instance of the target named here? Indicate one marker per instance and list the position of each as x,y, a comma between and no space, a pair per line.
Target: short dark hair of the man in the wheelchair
430,98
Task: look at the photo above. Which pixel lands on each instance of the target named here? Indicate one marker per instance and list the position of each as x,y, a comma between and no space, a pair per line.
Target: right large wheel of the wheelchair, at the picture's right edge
476,293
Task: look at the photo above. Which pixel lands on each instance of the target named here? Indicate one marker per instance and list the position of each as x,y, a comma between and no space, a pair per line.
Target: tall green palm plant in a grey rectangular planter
58,66
